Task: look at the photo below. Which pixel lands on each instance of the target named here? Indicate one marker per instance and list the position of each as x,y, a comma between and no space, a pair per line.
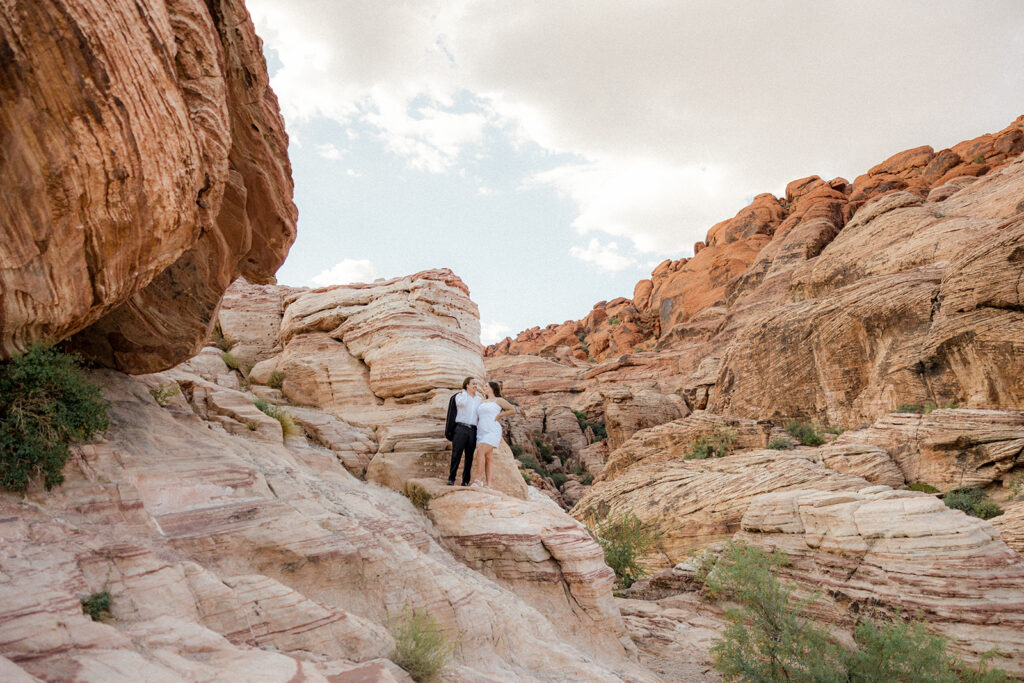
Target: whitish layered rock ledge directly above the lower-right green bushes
892,551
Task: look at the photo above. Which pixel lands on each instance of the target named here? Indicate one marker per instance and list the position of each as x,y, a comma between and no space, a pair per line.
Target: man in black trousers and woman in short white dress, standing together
473,425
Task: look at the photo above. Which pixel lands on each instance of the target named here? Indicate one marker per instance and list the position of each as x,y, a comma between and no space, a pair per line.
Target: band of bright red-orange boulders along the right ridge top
689,300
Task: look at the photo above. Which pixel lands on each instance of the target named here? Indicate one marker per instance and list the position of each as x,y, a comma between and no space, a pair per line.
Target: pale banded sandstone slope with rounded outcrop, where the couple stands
235,549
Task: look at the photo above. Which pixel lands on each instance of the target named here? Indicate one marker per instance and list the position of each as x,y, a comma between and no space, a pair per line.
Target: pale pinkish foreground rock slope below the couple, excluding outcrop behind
235,553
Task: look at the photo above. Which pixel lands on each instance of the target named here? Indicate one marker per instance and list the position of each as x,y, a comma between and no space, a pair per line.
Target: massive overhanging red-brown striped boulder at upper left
145,167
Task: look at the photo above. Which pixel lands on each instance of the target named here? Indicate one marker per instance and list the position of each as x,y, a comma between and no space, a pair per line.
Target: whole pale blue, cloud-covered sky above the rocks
552,153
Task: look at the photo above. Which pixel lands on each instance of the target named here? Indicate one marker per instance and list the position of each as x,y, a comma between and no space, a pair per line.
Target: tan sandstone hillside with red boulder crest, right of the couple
839,302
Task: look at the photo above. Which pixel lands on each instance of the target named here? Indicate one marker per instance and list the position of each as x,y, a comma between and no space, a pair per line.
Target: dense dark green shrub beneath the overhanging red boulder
46,405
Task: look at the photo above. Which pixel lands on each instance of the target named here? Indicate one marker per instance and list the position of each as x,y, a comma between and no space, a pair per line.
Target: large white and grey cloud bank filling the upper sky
678,112
